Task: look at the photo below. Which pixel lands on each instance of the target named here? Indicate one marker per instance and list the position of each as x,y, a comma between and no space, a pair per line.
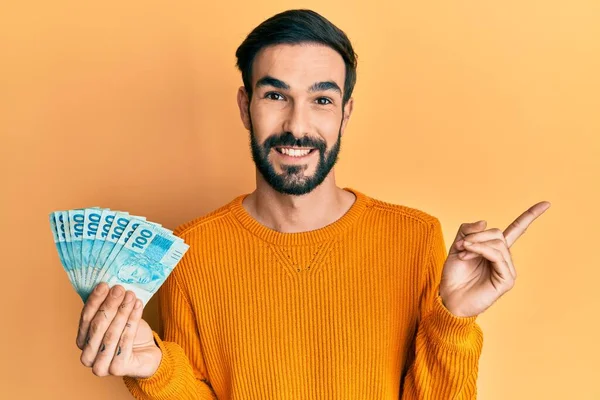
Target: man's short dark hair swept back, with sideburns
294,27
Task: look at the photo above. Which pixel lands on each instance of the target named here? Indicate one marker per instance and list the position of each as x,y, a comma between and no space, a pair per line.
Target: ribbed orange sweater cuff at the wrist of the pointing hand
453,333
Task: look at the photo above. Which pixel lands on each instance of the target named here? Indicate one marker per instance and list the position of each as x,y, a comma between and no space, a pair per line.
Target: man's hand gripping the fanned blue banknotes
113,336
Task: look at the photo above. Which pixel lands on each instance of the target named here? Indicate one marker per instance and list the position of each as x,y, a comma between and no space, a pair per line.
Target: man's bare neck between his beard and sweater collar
291,214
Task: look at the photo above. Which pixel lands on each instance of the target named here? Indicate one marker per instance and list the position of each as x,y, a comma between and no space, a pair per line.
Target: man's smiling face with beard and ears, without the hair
295,117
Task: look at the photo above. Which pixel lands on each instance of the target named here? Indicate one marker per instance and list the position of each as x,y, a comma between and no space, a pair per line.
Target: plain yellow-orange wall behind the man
466,110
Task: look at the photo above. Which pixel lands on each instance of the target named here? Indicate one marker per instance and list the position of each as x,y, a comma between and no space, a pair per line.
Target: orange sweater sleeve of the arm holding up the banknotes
182,373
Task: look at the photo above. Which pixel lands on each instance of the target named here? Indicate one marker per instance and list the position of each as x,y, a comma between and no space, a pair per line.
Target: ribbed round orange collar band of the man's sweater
300,238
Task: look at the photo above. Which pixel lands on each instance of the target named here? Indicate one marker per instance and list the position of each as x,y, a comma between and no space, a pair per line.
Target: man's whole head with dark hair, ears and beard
299,72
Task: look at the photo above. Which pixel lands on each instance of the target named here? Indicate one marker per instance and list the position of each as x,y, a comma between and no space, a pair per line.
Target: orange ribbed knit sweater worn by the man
347,311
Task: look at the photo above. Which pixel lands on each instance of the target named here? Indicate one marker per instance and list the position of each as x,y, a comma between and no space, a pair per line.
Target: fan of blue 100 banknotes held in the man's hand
100,245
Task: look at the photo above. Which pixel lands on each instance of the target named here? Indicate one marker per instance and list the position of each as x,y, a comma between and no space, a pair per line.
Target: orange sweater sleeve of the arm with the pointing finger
443,360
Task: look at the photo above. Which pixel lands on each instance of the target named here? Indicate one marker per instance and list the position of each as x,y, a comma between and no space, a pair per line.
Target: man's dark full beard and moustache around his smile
292,180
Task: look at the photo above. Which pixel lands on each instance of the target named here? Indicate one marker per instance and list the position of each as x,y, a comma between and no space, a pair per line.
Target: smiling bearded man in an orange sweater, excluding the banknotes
302,289
